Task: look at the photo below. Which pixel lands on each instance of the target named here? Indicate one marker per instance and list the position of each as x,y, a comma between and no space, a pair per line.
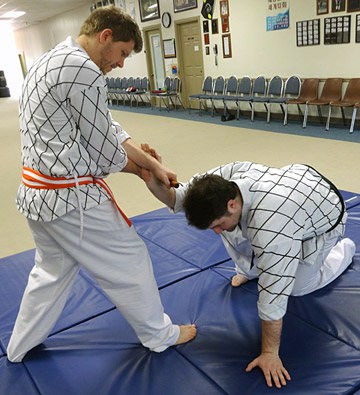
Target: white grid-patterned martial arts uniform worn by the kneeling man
291,221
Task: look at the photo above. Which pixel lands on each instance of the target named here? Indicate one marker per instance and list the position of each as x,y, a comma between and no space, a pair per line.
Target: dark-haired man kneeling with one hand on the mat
281,226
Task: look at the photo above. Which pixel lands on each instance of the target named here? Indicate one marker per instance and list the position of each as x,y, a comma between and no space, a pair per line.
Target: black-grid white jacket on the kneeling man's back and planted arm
287,206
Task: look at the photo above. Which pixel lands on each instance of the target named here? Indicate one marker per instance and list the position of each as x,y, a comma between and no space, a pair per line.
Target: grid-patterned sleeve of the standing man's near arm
101,136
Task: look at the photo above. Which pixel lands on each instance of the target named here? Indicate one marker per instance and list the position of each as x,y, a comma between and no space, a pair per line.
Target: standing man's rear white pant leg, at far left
45,295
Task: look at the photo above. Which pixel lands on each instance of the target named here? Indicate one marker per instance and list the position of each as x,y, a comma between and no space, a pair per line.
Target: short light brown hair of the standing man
123,27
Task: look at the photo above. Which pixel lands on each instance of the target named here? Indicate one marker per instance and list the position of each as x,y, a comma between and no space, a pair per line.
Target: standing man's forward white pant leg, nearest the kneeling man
118,259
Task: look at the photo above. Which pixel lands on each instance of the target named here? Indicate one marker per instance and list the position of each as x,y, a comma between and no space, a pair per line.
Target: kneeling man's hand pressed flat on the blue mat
272,368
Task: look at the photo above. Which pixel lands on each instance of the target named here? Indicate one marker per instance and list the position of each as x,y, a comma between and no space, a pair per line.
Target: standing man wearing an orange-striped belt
70,143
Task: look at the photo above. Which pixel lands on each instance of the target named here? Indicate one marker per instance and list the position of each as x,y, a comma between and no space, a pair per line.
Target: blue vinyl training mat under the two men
93,350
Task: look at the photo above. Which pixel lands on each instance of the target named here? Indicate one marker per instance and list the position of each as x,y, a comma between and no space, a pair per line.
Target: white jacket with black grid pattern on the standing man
66,131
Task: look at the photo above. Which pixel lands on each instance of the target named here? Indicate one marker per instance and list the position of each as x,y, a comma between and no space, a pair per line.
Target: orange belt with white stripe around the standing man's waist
33,179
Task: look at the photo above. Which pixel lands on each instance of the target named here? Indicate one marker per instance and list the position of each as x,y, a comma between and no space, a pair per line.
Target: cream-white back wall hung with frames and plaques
254,50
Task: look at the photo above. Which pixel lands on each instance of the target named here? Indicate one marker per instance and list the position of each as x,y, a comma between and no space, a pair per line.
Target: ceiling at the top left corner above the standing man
37,10
